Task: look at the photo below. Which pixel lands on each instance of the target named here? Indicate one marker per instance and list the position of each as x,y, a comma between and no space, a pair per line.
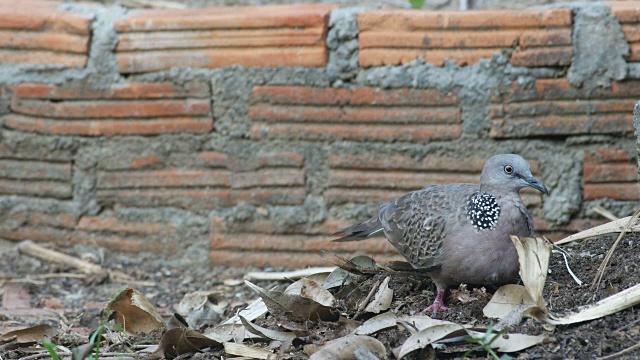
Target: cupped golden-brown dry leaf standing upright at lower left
133,312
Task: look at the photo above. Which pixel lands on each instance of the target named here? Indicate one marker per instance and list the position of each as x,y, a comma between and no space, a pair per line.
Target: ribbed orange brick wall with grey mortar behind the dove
245,136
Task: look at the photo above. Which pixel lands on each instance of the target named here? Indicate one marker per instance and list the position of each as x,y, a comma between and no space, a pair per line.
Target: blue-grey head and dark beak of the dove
508,172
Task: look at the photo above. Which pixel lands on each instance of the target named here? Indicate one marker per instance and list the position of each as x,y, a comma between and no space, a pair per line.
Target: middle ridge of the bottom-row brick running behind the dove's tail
278,243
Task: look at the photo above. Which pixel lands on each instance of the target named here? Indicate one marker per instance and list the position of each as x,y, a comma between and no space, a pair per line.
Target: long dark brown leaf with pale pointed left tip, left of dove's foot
297,307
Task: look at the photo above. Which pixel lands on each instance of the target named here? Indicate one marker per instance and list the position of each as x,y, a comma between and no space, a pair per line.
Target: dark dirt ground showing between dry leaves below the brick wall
31,296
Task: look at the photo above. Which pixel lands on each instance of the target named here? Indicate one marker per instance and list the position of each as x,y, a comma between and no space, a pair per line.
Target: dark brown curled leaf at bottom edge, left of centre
177,341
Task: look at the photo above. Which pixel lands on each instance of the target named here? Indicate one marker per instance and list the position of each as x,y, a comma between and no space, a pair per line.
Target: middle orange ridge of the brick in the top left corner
44,41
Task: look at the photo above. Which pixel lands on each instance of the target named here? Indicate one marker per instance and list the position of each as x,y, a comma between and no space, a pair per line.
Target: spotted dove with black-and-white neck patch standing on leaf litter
459,233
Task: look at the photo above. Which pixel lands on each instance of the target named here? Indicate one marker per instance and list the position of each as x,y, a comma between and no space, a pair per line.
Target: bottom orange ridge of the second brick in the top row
311,56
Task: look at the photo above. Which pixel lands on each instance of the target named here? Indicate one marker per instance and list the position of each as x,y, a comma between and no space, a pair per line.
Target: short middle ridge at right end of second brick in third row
270,177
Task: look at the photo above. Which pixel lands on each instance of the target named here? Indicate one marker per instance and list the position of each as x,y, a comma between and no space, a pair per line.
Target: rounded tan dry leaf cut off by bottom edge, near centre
346,347
